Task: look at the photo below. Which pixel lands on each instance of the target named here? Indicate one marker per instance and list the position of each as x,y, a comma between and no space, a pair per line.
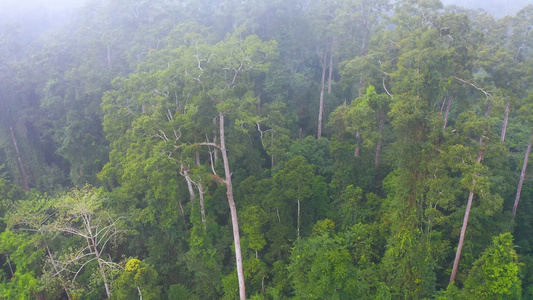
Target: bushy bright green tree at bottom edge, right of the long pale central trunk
329,265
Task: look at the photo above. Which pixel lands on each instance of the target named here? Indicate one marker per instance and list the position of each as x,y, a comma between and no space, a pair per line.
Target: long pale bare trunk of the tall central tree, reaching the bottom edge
233,210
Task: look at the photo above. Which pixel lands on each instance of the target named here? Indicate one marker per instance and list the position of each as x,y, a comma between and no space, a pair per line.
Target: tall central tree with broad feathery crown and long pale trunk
215,78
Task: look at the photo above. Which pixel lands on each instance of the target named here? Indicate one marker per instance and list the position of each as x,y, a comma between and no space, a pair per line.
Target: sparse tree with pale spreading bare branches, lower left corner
78,214
